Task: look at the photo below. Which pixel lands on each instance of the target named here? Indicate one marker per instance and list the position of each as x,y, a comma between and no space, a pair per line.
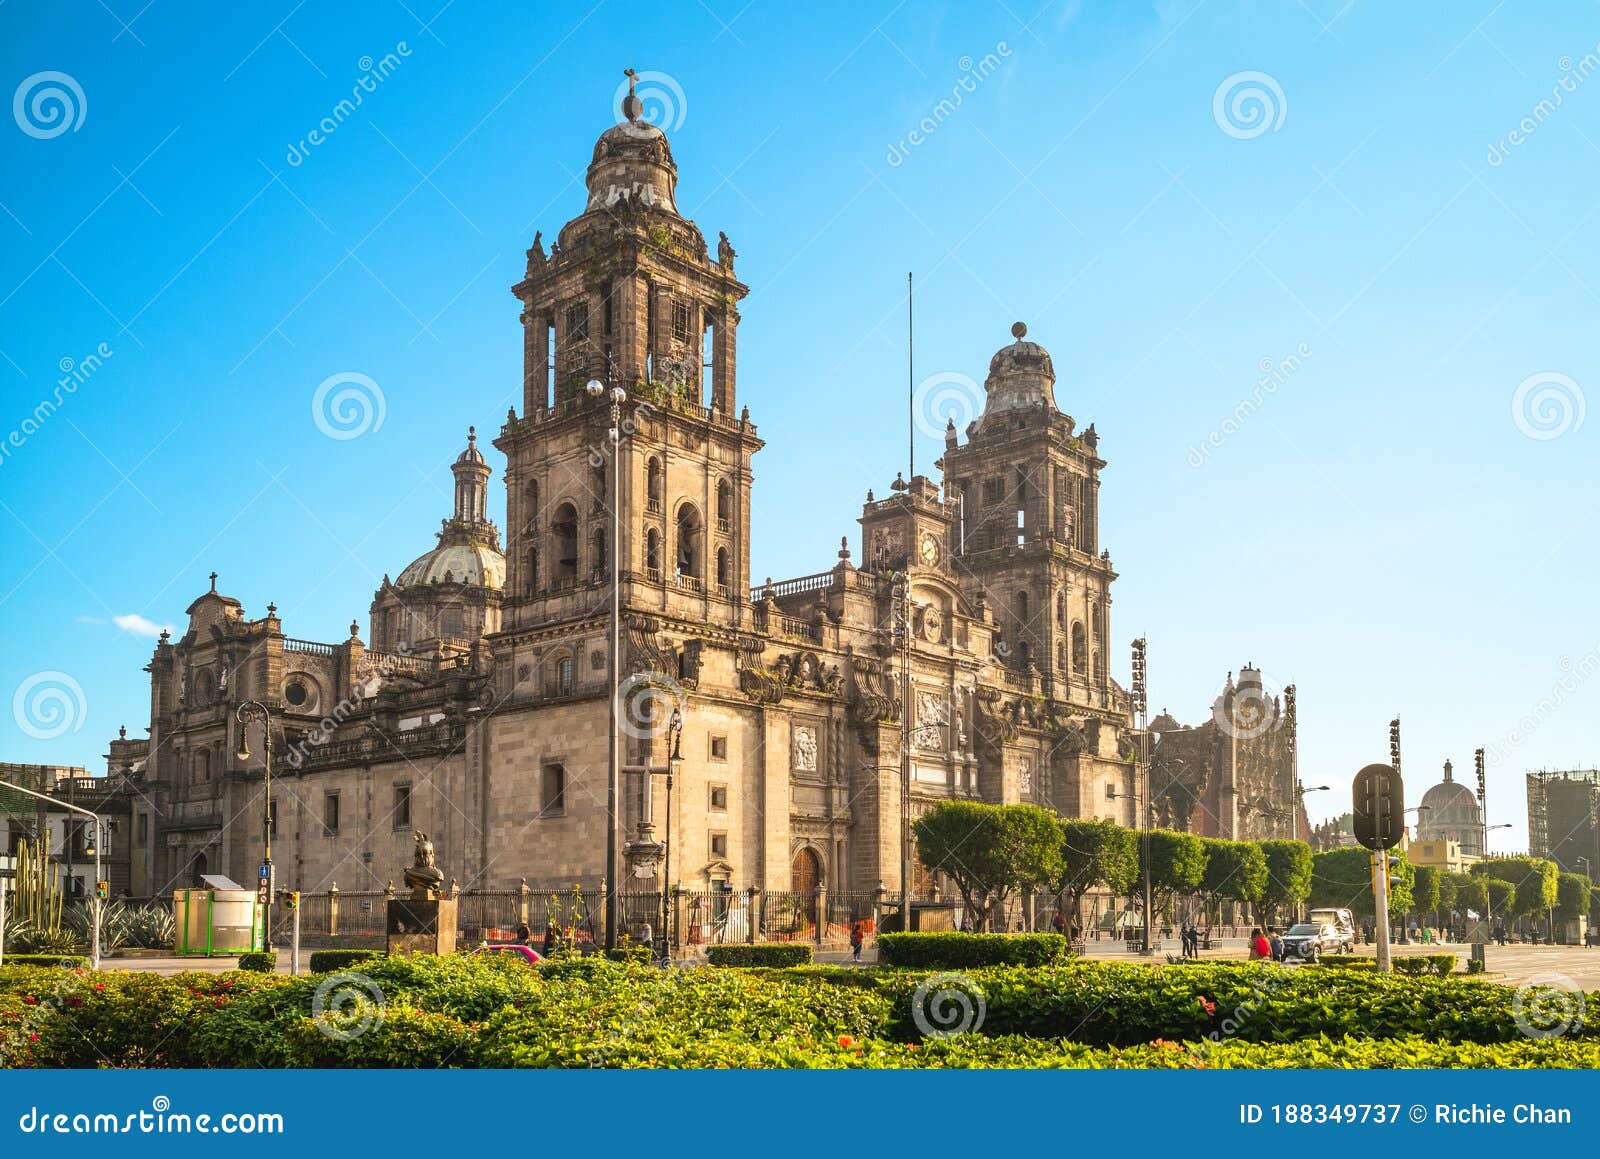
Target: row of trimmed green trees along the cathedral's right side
999,852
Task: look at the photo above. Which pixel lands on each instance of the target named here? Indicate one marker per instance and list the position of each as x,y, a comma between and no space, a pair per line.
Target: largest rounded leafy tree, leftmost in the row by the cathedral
990,851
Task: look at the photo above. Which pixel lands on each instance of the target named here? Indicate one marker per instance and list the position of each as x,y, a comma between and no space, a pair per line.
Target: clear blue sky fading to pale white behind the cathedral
1402,523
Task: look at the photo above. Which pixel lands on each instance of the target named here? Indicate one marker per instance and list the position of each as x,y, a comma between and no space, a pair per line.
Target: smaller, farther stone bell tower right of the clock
1028,531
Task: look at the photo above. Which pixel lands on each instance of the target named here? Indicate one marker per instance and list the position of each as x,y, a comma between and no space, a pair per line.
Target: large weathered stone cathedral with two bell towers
962,651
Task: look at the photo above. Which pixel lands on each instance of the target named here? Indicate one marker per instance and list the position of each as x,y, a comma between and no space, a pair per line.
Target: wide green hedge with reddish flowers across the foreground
492,1011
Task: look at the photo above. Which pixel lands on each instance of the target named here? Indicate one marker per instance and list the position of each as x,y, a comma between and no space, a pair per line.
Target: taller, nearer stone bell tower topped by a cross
630,295
